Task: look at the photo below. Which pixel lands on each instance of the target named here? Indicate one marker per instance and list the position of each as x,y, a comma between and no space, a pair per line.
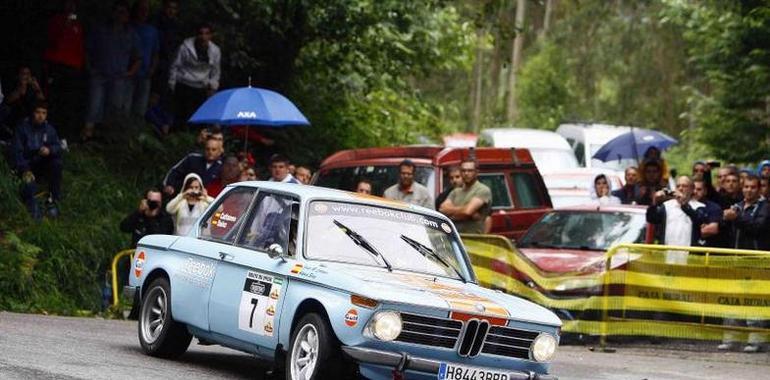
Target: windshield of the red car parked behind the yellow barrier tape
585,230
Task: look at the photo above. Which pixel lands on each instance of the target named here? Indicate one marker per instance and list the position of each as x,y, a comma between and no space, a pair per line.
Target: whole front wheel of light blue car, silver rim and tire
313,344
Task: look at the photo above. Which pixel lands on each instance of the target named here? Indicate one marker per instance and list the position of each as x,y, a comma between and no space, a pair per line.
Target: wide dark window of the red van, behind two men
381,177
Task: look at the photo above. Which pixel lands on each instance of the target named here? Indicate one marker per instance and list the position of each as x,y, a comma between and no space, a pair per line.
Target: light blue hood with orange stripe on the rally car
435,292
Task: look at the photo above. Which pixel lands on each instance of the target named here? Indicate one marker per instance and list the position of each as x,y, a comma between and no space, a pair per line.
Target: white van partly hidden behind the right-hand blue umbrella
586,139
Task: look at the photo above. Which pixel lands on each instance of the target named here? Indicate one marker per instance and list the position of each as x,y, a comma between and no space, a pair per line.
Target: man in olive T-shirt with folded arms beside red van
469,205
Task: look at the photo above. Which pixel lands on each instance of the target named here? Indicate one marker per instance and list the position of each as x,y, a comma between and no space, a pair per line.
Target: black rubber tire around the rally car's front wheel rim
326,358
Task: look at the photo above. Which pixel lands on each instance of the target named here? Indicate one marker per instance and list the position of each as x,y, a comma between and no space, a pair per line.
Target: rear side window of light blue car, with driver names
225,218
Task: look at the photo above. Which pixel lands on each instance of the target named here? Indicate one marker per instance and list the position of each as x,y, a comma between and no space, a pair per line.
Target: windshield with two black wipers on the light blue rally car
383,237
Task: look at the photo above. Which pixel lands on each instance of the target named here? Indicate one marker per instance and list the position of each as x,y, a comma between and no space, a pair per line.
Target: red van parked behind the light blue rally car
519,196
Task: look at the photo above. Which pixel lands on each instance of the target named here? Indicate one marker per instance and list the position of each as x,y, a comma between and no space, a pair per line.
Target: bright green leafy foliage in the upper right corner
729,45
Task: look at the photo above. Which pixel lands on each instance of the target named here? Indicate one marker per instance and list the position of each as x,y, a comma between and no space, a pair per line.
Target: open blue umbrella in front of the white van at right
633,144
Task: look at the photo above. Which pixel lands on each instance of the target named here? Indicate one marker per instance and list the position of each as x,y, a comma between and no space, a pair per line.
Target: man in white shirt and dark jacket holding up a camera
677,218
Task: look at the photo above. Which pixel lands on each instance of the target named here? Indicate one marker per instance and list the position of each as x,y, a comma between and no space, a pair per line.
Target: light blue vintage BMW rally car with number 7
334,285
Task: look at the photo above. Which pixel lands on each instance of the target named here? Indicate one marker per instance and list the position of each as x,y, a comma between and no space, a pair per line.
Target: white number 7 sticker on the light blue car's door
259,303
